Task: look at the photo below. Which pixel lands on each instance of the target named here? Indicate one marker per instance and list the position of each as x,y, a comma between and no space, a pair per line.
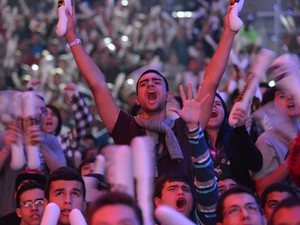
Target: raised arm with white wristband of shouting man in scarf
106,106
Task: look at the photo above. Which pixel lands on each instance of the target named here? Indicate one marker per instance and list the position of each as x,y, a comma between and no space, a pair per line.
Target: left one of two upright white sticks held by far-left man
18,159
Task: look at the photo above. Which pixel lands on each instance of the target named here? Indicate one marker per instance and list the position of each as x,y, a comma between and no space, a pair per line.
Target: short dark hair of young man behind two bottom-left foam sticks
67,174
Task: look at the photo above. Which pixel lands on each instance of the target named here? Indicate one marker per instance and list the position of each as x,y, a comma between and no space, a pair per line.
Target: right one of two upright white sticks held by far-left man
31,118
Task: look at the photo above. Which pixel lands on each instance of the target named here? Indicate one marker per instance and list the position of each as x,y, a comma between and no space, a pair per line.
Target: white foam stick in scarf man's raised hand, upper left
61,27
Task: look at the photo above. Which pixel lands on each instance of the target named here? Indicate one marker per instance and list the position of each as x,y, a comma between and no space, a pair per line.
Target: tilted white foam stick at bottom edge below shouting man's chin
169,216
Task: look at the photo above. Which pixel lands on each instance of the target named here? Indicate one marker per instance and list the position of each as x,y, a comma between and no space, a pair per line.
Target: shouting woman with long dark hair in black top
232,149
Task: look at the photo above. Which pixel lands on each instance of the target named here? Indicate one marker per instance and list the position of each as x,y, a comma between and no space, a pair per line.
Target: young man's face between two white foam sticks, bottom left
67,195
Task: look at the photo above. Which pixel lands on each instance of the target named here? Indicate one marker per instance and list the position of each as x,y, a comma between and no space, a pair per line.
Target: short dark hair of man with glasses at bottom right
234,190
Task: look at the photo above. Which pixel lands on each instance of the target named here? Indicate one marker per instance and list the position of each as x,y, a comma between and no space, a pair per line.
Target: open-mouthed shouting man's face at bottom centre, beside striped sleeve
177,195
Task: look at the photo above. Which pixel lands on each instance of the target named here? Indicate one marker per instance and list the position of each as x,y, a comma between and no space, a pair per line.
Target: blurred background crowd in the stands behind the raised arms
176,37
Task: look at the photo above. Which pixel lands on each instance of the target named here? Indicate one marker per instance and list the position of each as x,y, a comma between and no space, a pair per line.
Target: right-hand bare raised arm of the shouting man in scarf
215,70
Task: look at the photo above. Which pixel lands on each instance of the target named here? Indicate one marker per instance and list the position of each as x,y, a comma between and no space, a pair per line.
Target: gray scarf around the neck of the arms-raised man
153,127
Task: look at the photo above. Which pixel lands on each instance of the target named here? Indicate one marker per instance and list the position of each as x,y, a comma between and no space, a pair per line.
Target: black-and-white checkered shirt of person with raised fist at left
70,141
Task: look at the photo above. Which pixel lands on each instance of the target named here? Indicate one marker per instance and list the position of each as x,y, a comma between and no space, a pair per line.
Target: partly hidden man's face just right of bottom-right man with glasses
272,201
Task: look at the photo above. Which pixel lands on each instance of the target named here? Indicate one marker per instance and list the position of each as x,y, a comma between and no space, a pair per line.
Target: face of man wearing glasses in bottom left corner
32,207
